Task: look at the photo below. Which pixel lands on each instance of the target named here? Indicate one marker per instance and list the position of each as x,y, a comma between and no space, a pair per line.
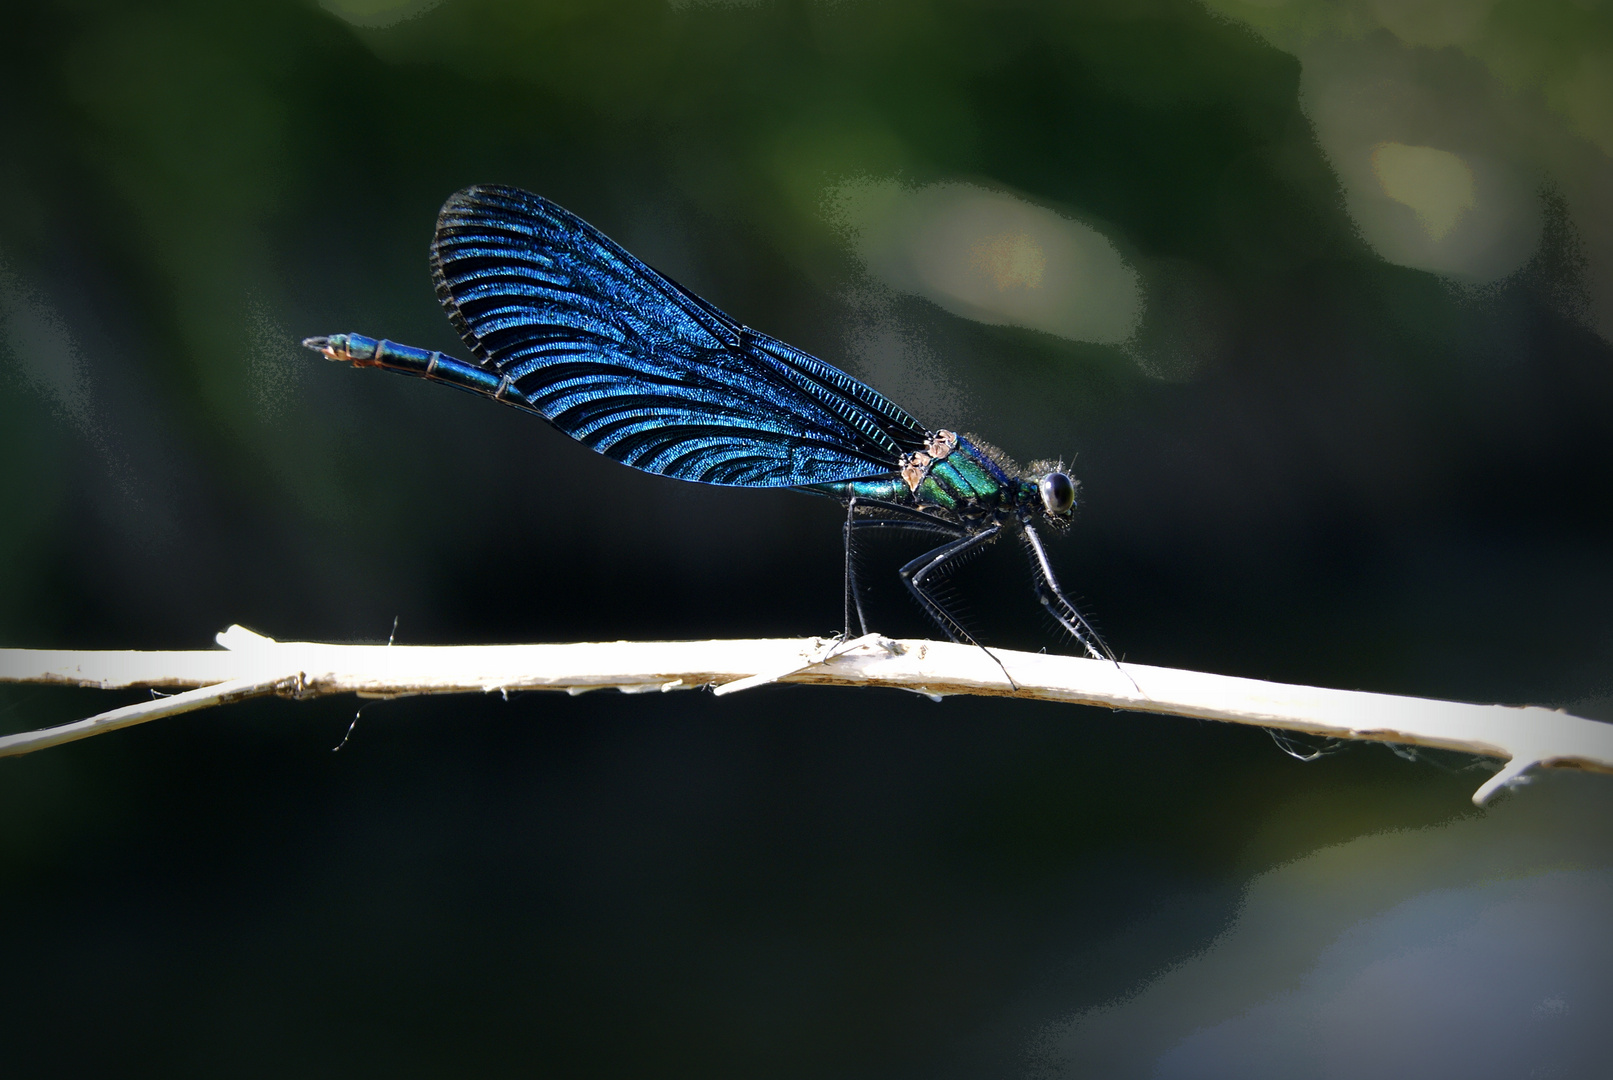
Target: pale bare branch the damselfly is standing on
252,667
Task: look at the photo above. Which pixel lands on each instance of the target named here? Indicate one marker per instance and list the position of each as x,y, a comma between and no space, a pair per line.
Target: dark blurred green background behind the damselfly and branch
1317,297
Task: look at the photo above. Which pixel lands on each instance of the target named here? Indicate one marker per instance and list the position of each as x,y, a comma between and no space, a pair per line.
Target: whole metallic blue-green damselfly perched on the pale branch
567,325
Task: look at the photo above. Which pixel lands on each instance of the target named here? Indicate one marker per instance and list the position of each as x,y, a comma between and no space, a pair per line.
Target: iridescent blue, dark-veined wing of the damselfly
636,367
